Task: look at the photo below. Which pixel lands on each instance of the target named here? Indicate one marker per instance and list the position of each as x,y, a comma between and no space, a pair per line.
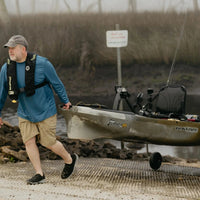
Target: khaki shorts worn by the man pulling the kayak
44,130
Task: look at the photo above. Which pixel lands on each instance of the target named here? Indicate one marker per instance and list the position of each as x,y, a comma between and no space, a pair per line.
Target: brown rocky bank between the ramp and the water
12,149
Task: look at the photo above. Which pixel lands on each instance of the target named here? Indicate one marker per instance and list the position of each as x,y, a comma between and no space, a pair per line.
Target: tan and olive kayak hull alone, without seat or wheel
93,123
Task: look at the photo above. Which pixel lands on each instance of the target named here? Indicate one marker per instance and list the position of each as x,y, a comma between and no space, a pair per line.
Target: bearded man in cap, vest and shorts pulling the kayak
28,79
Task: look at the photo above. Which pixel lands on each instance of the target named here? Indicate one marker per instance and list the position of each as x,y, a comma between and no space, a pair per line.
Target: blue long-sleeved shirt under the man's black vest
42,104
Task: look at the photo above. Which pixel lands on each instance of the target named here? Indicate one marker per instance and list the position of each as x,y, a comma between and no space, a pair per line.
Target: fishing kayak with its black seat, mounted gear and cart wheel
162,120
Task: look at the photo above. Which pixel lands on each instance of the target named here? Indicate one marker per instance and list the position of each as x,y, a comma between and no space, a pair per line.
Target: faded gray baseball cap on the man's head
15,40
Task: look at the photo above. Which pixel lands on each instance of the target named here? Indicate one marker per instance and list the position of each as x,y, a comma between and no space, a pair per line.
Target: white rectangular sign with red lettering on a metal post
117,38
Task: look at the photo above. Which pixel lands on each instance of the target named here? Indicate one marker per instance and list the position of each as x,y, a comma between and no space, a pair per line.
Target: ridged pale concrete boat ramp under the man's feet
101,179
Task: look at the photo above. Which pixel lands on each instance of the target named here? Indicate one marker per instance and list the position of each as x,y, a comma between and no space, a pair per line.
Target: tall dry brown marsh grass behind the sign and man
80,40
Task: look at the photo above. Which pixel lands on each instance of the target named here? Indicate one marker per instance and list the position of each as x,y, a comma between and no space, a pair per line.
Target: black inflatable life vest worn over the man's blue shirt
29,89
